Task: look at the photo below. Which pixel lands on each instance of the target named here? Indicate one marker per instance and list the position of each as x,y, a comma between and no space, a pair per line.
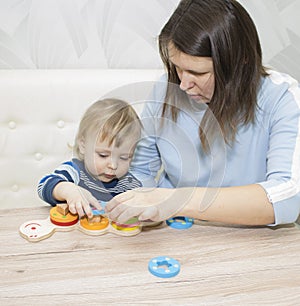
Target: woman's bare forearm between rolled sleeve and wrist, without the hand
247,205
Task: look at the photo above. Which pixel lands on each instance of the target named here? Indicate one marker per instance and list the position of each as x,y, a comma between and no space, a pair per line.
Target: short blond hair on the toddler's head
111,120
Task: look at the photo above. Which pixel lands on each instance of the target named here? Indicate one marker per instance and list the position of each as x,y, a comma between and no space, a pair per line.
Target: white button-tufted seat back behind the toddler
40,111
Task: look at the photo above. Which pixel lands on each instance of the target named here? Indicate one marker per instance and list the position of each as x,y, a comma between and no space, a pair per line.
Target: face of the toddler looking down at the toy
106,162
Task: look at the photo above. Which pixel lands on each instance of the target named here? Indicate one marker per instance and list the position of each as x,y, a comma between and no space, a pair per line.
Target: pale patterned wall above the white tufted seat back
55,34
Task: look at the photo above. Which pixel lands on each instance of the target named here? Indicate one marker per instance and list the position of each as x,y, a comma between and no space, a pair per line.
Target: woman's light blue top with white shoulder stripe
266,153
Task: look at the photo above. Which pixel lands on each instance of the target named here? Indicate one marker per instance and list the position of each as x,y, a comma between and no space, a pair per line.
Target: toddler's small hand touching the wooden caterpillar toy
77,198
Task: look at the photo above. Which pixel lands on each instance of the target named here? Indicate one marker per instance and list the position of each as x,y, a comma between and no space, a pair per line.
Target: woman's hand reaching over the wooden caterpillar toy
156,204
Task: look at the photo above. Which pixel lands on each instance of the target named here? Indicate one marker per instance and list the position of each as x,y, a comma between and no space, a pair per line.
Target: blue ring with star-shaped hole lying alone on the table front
164,267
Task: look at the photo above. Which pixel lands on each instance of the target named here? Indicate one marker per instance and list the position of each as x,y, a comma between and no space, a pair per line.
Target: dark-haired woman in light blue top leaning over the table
225,129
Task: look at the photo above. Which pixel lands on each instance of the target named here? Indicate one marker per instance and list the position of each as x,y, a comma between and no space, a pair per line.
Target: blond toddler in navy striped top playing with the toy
104,146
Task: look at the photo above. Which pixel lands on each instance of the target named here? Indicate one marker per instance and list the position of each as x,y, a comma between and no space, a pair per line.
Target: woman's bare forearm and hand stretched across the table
247,205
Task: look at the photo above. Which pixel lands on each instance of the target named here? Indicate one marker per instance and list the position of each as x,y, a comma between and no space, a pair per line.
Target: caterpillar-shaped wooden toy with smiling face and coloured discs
37,230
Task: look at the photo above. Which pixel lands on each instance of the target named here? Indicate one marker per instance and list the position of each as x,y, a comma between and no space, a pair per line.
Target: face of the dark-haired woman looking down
196,74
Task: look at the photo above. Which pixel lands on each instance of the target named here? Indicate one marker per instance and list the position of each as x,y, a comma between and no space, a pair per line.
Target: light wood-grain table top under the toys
220,265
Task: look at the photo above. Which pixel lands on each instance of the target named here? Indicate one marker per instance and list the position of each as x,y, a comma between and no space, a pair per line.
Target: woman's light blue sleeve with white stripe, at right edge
282,183
